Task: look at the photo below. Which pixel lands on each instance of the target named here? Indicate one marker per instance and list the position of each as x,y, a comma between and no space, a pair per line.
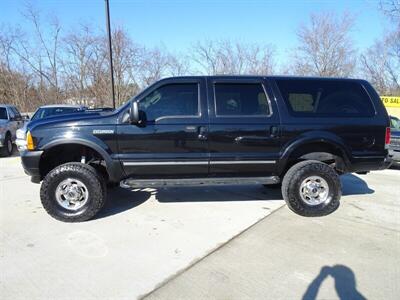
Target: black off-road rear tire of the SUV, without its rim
291,188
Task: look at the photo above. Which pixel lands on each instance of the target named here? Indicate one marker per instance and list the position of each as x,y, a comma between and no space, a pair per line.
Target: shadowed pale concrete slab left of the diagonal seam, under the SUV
141,239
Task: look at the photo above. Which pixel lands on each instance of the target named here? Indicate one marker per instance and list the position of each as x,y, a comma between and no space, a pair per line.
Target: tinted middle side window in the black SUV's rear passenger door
240,99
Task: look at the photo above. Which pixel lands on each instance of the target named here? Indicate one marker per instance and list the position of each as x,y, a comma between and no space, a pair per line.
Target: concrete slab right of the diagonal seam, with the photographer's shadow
351,254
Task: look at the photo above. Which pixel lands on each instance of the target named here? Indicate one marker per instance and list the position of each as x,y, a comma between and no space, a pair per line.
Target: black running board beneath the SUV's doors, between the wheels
155,183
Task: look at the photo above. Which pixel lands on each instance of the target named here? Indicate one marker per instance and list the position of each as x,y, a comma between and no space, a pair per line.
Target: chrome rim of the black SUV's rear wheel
314,190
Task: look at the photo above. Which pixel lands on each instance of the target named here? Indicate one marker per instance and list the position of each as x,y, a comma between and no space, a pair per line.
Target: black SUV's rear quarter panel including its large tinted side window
334,106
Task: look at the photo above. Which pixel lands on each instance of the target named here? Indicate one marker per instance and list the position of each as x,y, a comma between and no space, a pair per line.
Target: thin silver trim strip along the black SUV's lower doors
171,163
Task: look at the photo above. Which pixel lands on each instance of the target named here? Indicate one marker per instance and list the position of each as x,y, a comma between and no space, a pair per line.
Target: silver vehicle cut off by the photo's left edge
10,121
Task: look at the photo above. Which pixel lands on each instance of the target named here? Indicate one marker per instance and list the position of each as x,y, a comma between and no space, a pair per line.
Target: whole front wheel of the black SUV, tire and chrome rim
73,192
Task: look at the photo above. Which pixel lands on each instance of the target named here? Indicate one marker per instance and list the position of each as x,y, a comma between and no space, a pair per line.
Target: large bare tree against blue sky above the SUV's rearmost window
325,46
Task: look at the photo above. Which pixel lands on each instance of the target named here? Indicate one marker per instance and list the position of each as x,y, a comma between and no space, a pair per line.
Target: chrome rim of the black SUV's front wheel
72,194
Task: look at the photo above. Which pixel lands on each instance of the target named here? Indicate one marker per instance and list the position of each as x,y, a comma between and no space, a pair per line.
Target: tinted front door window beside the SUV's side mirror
172,100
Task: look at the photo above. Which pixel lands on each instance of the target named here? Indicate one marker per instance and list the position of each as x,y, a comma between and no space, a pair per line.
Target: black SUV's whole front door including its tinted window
173,140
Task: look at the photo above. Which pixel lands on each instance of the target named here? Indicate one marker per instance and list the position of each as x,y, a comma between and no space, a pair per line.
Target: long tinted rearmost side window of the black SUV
326,98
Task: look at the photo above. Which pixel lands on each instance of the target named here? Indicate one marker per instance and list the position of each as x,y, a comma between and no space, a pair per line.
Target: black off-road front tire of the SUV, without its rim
88,175
